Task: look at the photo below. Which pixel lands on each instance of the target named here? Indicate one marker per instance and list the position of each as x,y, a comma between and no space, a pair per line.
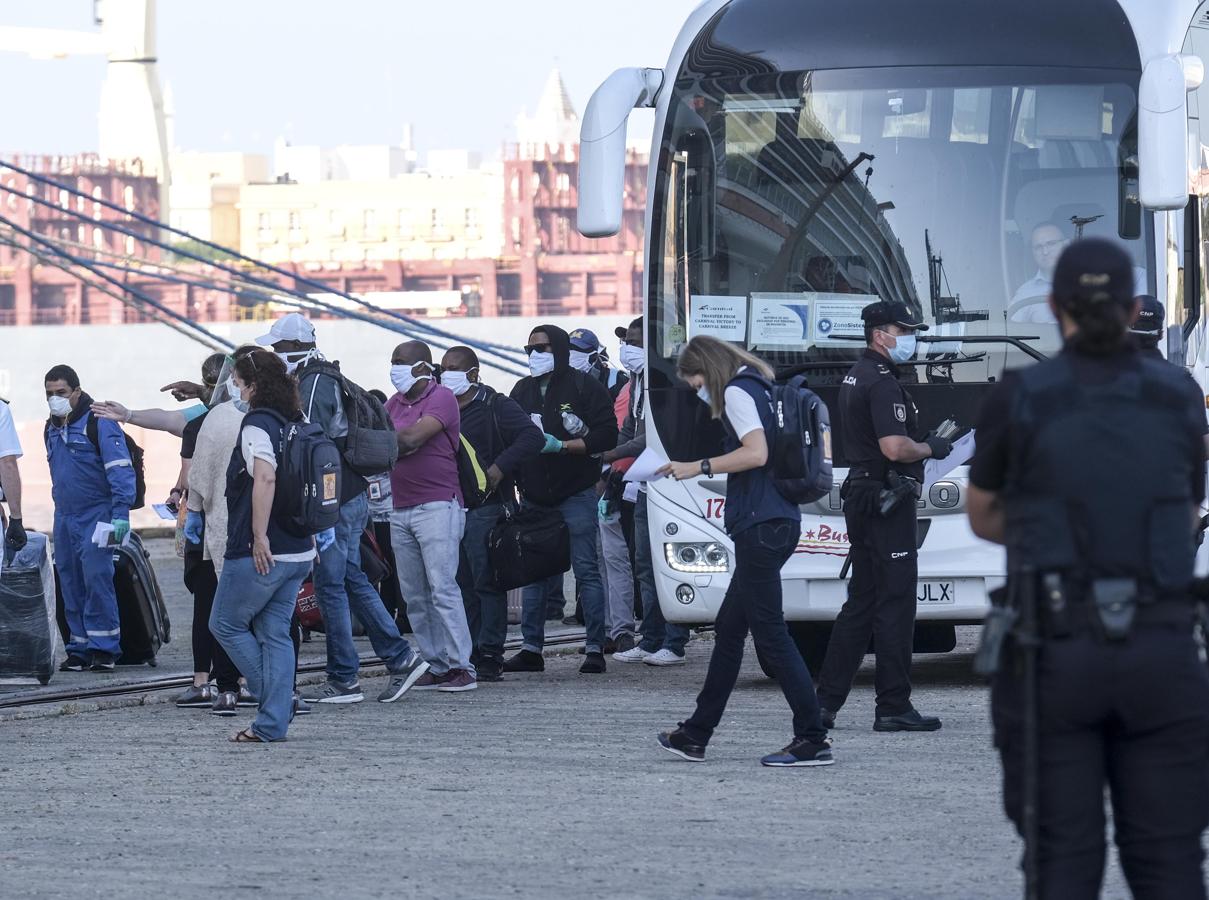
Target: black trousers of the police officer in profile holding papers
881,604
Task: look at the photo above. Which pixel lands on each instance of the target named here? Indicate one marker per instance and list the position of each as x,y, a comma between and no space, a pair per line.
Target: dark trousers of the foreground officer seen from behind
1132,717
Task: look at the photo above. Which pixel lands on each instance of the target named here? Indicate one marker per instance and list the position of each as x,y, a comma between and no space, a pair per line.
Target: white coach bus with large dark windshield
812,157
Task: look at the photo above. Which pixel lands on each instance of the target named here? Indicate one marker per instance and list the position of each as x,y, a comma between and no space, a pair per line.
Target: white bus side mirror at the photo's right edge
1164,130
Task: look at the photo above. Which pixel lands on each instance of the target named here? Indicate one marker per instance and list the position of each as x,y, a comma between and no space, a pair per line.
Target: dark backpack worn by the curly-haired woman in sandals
309,478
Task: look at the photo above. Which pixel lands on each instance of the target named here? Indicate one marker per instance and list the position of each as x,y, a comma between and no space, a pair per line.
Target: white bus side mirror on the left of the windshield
603,147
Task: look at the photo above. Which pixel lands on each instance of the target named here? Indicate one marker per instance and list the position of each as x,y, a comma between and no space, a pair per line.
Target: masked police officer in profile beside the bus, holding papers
883,486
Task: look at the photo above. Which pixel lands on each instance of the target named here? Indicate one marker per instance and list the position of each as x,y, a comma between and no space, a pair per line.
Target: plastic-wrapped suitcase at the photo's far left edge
30,638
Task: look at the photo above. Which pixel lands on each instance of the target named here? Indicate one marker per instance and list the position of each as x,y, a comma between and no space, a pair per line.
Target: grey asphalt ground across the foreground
543,786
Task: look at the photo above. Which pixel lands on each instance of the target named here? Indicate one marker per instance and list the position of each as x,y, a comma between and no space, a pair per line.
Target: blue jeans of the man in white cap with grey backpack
344,591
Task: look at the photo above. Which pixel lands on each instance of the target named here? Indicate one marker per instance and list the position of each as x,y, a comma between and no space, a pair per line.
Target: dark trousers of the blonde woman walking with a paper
754,603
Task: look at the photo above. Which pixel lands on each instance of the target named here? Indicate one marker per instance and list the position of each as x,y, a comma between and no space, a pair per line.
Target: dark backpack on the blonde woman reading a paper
800,454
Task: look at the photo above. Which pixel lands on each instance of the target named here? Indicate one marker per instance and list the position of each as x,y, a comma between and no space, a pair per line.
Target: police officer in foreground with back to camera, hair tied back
1090,469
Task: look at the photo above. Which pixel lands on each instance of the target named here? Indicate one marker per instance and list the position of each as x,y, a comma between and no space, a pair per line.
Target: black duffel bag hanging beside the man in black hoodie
529,546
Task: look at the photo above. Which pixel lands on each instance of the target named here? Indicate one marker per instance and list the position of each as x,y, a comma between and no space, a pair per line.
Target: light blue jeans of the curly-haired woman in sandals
252,621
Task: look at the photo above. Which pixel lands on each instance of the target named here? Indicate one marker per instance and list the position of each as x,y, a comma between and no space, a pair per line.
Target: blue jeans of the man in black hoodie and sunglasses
581,516
